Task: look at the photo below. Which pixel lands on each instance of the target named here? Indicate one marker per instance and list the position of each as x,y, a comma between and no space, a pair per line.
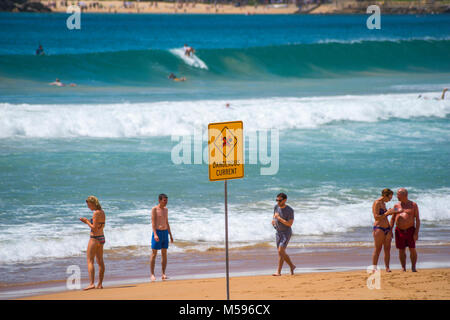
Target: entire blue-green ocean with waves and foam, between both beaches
343,99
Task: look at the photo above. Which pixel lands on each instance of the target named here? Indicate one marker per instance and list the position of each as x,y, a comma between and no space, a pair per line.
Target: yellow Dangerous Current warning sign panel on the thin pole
226,150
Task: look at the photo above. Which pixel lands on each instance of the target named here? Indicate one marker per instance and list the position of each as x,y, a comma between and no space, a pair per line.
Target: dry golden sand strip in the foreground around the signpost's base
425,284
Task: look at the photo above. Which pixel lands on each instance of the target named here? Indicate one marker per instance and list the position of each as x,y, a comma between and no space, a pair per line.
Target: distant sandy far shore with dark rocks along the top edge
311,8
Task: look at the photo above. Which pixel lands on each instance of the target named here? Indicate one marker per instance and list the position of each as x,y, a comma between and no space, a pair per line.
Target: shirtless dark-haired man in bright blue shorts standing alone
160,235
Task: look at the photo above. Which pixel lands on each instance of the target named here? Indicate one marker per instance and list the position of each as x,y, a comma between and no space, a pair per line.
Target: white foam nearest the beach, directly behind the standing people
202,228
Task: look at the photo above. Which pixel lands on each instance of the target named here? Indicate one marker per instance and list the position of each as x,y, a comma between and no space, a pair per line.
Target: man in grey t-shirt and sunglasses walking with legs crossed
283,218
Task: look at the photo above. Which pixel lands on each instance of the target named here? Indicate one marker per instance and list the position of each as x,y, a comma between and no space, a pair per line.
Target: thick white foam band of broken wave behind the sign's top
181,117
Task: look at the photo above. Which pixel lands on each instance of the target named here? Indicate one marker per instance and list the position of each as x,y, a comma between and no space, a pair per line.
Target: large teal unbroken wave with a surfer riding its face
315,60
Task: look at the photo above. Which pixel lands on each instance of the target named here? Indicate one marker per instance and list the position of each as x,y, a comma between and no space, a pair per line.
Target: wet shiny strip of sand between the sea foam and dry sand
196,267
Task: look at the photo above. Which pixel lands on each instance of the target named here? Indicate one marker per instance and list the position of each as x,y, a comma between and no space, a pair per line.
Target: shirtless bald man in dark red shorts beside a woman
407,228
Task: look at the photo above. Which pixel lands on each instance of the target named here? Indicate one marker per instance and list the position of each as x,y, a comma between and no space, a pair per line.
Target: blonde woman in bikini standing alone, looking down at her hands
95,246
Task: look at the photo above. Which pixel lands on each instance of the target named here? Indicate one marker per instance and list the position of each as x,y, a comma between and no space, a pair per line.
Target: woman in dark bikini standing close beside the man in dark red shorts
382,233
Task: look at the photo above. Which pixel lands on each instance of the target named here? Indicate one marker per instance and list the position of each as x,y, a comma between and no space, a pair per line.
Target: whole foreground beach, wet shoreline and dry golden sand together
208,268
